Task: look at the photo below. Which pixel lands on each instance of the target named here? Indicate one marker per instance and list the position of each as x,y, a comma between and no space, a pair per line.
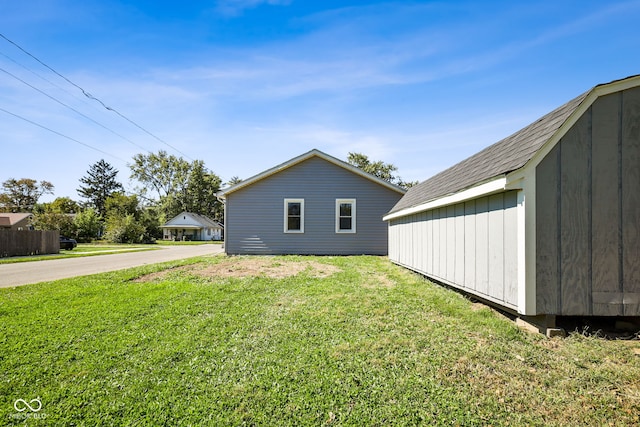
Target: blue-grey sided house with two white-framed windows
311,204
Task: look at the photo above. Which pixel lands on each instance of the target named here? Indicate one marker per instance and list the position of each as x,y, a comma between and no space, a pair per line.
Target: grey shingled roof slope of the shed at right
503,157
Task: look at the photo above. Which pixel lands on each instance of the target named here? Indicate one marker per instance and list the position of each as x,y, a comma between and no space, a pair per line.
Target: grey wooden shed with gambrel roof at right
545,222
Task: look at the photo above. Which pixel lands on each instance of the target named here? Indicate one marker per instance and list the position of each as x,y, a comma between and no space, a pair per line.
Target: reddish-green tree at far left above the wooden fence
21,195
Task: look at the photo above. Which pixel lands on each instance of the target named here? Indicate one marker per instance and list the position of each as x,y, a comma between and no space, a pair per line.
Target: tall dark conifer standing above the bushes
99,184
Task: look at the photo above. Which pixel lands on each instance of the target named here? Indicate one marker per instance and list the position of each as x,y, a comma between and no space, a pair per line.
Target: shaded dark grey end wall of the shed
588,214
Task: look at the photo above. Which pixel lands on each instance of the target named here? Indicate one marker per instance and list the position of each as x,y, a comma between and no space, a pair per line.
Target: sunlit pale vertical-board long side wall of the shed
471,246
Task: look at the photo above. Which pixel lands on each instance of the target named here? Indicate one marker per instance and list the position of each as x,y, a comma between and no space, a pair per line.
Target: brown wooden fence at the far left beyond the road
28,242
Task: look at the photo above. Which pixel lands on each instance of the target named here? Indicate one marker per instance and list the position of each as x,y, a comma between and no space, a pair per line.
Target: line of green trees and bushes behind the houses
167,186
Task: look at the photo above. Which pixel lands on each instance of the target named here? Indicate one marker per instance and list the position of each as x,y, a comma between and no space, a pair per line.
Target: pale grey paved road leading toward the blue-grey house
24,273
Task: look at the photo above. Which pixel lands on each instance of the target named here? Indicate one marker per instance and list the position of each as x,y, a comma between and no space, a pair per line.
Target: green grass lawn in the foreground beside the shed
294,341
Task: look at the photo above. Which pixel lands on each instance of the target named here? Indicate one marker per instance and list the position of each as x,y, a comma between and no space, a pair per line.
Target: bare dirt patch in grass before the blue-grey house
251,267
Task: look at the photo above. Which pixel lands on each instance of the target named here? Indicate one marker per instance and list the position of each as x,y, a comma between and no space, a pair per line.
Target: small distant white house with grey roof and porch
191,226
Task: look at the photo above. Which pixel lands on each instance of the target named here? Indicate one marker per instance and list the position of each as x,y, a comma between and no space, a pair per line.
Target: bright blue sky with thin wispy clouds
247,84
